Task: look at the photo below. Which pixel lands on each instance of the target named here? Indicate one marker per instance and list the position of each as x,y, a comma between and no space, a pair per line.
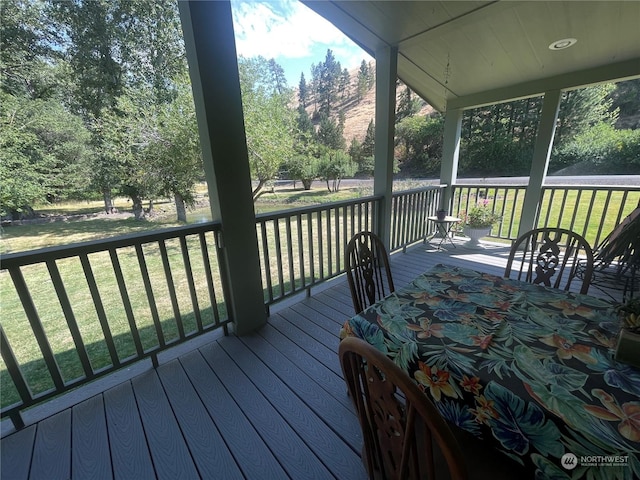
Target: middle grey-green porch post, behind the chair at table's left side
386,74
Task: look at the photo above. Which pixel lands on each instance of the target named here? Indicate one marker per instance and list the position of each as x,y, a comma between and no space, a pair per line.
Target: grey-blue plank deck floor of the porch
269,405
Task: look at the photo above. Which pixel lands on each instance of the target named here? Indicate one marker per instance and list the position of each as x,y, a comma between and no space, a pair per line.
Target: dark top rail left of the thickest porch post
30,257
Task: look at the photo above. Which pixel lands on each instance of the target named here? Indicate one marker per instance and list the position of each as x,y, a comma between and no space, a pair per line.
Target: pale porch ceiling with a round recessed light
468,53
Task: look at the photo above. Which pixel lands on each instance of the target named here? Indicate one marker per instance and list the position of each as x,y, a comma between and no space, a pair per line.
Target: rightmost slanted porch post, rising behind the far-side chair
540,162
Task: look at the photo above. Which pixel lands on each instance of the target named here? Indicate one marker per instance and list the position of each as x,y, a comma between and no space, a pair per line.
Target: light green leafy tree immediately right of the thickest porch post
269,122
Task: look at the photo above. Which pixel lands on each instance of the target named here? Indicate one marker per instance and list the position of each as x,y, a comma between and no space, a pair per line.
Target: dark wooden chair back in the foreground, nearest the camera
400,425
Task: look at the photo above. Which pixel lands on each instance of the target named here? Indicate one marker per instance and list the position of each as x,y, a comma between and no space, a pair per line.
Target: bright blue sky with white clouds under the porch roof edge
293,35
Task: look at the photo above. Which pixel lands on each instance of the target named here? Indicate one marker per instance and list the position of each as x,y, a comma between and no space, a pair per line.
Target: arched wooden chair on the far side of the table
551,256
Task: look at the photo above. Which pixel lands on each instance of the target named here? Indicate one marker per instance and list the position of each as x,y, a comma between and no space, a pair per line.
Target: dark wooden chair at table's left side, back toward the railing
368,271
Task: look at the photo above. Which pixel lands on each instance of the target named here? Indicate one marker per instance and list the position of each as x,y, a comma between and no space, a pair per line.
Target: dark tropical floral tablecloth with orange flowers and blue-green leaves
527,367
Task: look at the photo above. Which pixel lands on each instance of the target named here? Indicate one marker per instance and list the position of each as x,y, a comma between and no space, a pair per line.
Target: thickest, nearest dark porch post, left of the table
213,67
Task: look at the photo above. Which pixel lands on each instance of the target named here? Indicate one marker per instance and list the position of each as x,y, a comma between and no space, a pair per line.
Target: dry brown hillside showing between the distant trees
358,114
